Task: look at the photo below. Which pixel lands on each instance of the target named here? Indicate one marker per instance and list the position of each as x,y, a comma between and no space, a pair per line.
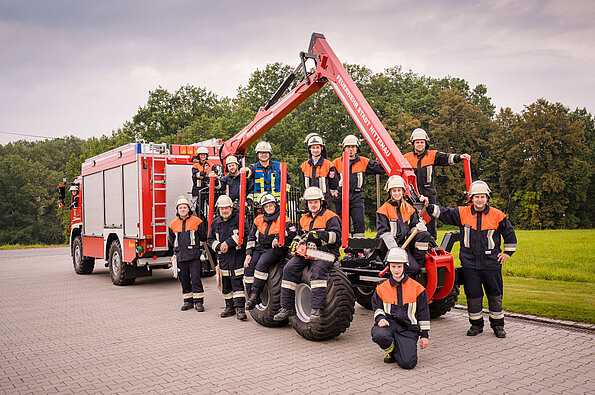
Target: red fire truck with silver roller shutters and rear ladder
126,200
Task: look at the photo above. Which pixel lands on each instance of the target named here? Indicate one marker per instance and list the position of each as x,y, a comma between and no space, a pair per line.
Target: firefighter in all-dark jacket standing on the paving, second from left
223,238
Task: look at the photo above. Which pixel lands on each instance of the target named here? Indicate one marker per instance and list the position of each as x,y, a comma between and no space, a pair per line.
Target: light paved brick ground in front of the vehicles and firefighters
61,332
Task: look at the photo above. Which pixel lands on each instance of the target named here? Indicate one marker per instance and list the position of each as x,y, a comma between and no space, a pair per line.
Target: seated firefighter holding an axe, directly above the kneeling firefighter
396,219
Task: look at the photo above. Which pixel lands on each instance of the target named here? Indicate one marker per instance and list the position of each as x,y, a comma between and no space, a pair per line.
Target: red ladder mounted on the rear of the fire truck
159,194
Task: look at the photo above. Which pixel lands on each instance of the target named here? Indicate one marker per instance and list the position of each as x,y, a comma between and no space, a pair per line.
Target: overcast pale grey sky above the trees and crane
84,67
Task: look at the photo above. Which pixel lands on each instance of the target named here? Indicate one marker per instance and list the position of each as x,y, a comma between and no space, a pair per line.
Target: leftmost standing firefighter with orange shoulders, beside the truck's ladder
185,234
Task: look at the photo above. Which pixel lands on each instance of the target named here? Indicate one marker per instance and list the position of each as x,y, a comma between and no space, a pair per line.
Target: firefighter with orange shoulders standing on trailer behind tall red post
359,167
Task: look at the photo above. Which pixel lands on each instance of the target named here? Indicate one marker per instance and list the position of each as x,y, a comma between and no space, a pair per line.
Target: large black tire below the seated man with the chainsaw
336,316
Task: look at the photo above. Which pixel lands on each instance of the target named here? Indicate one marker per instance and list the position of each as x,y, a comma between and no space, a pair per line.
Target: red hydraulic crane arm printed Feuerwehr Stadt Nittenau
328,69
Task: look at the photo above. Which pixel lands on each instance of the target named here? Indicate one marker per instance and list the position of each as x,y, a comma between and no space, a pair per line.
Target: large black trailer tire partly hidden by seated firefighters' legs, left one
270,297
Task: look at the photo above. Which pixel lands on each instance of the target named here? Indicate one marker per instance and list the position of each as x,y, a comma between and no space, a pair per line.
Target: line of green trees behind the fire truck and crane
539,162
